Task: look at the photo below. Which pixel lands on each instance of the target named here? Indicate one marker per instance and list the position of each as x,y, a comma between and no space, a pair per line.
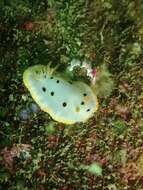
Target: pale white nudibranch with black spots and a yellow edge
64,100
